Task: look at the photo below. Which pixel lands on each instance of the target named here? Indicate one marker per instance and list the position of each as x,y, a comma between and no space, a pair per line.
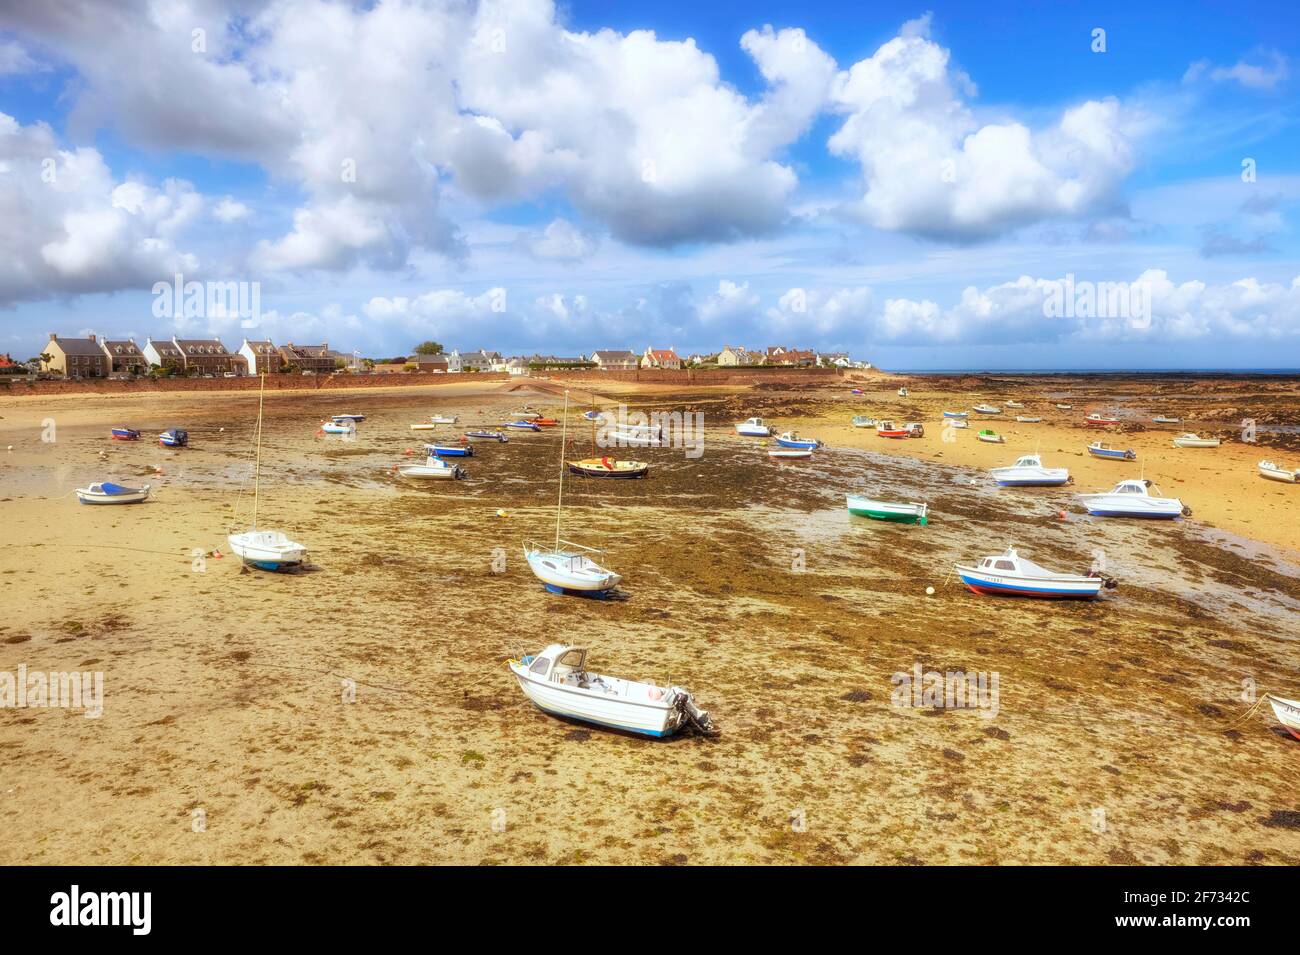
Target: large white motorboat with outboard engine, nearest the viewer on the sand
557,683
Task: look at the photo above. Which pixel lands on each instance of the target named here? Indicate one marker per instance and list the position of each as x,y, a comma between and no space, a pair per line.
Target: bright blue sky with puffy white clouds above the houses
904,183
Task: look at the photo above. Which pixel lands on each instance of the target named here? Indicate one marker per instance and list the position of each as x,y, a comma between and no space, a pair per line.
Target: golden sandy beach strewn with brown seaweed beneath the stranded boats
361,711
